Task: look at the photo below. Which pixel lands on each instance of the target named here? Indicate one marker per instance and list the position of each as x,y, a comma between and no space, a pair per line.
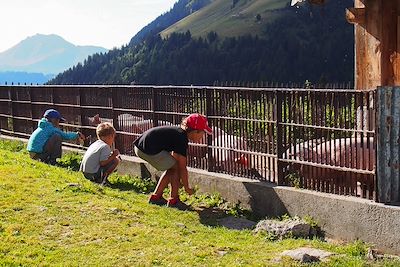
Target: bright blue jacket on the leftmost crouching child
43,133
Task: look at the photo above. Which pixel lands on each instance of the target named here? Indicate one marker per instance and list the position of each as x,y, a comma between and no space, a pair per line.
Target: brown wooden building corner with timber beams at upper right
377,42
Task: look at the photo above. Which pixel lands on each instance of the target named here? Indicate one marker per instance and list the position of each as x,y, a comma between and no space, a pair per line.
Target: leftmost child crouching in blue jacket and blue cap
46,141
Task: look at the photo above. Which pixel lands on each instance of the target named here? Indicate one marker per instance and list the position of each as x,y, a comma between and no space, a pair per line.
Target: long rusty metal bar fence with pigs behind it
323,140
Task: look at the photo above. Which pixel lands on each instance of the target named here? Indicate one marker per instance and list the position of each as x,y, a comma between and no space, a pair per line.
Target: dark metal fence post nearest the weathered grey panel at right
279,134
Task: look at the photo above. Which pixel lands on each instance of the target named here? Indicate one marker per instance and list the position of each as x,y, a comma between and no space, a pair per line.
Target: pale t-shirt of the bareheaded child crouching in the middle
98,151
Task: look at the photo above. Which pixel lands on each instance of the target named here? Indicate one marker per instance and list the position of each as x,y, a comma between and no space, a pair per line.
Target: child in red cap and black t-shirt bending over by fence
165,148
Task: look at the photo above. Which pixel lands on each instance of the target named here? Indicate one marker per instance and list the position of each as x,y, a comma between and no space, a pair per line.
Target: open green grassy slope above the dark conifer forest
219,17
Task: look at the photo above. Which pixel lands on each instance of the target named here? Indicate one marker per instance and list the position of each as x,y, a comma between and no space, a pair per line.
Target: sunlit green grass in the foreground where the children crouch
53,216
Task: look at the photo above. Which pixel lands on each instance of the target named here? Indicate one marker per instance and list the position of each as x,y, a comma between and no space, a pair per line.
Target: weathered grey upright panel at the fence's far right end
388,145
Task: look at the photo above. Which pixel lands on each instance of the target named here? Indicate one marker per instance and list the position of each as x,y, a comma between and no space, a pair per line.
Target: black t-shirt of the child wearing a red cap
168,138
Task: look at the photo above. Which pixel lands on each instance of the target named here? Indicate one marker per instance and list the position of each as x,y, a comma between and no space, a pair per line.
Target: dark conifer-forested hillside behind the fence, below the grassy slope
303,43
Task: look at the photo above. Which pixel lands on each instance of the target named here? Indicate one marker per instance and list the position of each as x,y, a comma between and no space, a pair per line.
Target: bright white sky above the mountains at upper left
106,23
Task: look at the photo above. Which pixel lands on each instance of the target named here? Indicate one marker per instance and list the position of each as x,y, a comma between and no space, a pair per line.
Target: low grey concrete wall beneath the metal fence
340,217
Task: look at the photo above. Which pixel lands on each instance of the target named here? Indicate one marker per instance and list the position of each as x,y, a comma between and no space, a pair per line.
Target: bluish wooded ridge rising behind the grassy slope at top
180,10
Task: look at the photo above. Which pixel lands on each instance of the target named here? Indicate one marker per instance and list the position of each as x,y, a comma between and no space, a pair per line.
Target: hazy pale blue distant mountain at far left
45,54
